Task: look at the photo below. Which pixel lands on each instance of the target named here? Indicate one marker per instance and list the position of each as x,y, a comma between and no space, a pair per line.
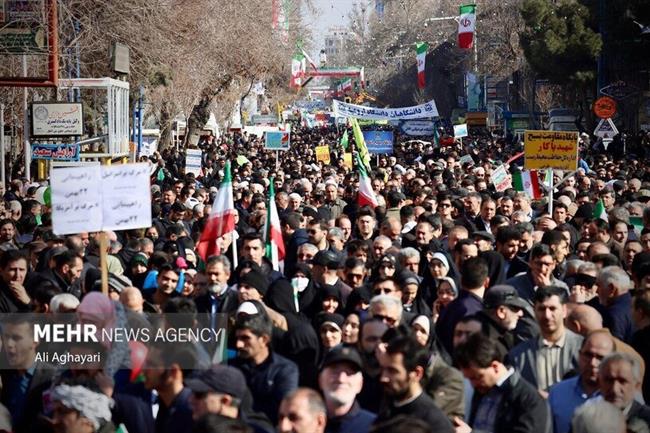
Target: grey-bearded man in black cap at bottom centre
340,380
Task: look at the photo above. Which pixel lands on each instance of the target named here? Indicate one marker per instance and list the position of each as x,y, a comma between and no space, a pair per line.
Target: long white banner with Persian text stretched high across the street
422,111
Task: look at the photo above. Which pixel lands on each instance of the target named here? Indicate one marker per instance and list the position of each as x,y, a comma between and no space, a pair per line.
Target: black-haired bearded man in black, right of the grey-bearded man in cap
403,363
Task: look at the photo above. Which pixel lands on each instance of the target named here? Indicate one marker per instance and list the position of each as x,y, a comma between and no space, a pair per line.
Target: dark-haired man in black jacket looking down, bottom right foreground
519,407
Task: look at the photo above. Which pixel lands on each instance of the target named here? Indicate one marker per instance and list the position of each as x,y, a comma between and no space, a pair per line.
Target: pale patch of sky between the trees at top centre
329,13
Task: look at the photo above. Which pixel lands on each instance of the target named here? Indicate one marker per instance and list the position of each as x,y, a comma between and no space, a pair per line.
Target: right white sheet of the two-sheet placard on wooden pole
126,196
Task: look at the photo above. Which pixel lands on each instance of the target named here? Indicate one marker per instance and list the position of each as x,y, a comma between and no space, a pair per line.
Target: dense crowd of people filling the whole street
449,307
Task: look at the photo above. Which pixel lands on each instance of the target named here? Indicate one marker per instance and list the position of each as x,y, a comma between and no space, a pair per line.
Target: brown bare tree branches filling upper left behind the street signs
191,56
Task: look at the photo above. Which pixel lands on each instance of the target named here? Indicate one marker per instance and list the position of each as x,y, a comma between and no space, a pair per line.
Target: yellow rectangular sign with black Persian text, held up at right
550,149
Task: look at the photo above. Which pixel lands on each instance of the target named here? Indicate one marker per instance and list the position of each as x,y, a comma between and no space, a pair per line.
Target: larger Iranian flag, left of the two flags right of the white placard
221,220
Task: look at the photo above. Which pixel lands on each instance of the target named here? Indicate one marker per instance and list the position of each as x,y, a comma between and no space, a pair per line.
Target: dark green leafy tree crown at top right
557,41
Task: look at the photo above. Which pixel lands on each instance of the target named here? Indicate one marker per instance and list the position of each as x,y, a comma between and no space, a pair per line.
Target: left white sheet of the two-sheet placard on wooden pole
76,199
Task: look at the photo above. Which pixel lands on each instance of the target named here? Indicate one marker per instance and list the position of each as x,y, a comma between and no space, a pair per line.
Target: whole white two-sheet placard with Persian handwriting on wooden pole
96,198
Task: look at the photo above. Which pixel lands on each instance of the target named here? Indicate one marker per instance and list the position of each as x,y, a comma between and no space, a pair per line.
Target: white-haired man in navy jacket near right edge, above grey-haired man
616,301
